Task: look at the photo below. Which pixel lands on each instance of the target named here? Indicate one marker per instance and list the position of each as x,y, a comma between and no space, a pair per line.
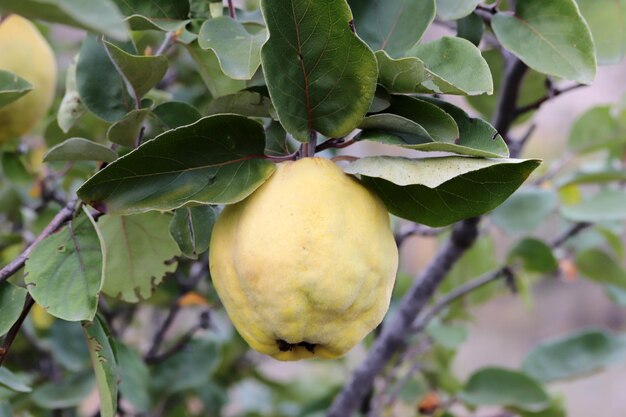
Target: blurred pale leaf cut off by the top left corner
100,16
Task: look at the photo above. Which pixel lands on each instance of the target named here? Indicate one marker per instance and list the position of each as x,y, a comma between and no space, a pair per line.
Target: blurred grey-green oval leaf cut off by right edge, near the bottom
575,355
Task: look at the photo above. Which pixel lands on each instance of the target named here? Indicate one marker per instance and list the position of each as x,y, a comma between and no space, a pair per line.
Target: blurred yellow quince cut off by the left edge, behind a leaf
25,52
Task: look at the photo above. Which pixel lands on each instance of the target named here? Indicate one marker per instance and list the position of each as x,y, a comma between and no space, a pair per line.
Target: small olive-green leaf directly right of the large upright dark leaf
403,75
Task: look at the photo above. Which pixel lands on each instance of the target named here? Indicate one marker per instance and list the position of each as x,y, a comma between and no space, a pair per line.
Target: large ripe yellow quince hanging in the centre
305,265
